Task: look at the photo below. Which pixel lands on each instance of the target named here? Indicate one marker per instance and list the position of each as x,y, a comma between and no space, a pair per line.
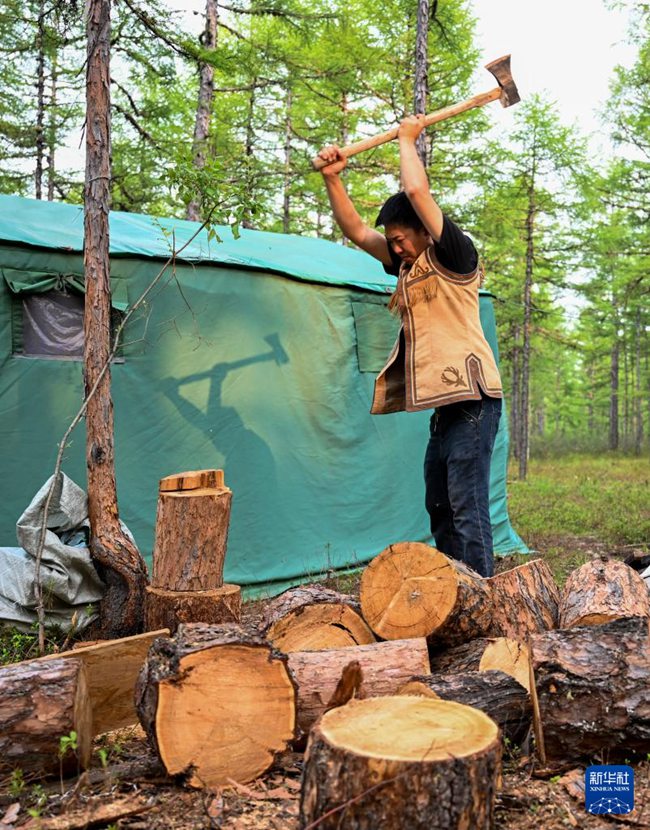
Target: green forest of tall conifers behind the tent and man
233,118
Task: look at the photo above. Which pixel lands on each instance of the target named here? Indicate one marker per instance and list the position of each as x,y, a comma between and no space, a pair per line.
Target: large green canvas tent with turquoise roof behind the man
255,354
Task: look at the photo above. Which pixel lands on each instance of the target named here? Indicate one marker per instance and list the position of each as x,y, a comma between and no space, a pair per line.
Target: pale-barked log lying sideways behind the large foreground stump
384,668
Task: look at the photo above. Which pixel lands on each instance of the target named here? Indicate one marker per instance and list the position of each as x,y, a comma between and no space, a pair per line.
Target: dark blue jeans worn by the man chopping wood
457,480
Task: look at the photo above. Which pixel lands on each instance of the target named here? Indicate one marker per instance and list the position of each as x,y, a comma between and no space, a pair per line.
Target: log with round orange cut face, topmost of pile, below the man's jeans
413,590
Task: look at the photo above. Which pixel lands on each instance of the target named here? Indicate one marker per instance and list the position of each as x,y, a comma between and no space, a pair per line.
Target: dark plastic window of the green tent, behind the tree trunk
51,325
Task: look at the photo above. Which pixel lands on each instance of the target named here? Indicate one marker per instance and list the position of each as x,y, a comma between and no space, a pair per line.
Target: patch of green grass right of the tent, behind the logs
571,508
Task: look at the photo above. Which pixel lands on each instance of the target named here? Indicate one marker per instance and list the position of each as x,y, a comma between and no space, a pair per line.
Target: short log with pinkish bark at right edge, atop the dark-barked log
601,591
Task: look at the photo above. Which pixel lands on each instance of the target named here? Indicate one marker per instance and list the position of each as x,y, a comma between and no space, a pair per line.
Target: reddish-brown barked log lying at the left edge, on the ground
41,703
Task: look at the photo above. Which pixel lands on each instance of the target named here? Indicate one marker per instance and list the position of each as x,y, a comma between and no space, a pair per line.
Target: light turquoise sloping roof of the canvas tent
60,226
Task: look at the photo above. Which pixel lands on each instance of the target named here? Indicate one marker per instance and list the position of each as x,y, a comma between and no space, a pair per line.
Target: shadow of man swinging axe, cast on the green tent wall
248,462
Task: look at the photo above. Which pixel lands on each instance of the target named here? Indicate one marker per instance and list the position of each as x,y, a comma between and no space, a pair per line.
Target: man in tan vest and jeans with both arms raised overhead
441,359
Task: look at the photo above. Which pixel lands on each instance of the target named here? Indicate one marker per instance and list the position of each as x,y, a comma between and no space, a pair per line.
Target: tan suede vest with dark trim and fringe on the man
441,355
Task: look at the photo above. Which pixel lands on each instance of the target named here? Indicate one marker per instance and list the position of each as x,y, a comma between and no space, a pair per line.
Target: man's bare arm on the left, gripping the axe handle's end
345,213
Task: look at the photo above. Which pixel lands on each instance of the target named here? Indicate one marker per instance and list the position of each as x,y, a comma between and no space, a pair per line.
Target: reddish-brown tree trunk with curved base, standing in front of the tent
116,557
